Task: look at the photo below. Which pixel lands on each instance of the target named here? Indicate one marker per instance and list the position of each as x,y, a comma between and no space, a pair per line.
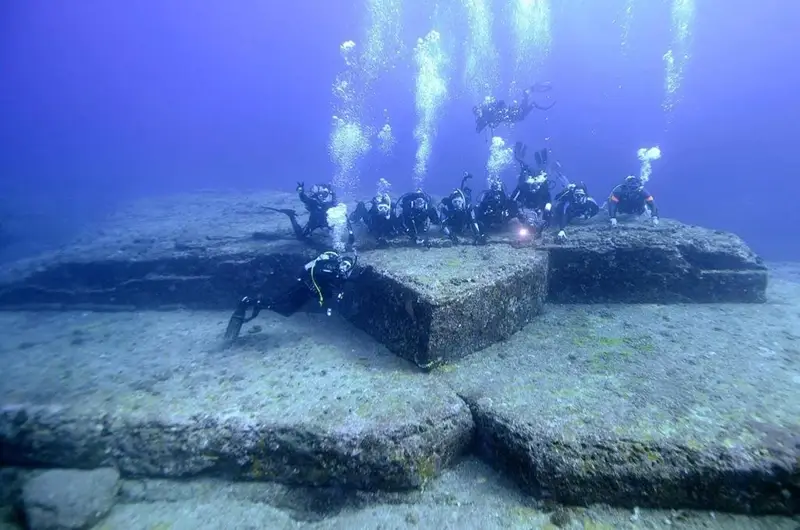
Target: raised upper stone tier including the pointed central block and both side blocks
427,305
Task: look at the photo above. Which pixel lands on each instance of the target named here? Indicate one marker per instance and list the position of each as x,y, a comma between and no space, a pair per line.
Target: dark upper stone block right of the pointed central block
639,263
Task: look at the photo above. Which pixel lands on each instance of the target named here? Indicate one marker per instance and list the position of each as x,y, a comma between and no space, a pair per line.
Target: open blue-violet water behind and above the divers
103,102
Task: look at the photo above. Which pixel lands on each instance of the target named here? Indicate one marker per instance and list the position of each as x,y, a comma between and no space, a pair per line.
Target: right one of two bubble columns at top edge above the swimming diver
530,22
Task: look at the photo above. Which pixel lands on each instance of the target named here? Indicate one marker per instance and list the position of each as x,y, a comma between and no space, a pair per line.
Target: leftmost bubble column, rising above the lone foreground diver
348,141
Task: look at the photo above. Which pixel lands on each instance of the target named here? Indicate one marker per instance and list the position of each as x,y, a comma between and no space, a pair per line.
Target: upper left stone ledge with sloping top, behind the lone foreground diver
196,251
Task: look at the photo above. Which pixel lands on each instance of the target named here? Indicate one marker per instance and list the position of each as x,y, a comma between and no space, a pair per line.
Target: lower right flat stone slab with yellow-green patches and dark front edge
649,405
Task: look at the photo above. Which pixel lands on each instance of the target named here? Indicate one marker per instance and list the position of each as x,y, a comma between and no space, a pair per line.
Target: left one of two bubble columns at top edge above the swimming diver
481,73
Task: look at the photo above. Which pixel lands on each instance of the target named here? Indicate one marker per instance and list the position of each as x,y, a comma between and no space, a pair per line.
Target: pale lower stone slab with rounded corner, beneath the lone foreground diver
305,400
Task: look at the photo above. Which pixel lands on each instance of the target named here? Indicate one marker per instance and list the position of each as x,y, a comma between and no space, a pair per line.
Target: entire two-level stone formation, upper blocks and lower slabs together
144,392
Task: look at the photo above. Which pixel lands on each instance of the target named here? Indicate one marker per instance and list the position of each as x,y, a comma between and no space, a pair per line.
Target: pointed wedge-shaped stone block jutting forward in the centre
444,303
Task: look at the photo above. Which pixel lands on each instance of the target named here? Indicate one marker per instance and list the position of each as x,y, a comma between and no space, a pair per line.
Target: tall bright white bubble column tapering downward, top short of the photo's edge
431,93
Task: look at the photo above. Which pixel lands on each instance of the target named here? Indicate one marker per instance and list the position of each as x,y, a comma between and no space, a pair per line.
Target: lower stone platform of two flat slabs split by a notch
671,406
